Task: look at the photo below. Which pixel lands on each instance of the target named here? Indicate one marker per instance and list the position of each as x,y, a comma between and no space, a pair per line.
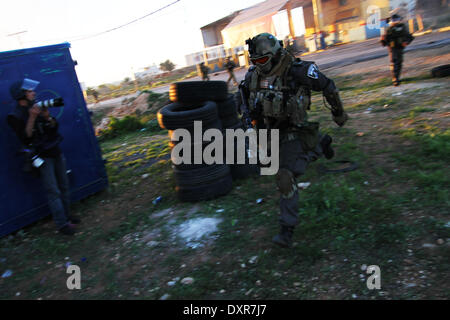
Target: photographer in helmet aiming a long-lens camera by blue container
38,132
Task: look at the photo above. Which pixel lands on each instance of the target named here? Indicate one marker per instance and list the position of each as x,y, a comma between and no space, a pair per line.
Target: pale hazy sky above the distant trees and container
168,34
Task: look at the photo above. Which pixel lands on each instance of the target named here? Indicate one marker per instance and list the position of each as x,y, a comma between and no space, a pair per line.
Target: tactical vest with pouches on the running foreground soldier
277,100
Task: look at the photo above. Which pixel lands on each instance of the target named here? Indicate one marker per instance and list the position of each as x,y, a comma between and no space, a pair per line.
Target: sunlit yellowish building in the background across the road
301,22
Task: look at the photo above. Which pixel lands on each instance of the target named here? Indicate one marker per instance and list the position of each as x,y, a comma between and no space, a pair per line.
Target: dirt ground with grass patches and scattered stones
391,212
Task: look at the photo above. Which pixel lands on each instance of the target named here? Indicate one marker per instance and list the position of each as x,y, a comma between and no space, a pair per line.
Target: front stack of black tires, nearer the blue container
209,102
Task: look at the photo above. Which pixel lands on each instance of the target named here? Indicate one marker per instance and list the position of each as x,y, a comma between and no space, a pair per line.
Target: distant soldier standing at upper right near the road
396,38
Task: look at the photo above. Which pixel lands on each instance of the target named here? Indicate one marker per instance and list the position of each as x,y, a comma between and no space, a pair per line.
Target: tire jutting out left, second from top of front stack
179,115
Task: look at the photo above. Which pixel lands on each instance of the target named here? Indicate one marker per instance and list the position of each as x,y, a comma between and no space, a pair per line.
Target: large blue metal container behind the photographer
22,200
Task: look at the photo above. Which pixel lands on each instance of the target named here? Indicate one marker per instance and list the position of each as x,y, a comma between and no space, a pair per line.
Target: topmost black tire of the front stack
194,91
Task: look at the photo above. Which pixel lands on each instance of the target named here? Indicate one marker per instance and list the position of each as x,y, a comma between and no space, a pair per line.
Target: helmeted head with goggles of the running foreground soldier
265,51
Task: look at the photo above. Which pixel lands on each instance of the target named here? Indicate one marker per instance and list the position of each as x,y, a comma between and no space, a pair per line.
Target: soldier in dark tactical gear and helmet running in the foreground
279,97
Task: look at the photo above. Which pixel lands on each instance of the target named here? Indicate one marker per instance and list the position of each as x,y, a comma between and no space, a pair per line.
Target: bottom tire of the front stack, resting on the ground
213,190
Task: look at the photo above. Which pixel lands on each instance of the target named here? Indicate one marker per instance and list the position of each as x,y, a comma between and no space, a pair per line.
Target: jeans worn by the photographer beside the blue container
56,184
